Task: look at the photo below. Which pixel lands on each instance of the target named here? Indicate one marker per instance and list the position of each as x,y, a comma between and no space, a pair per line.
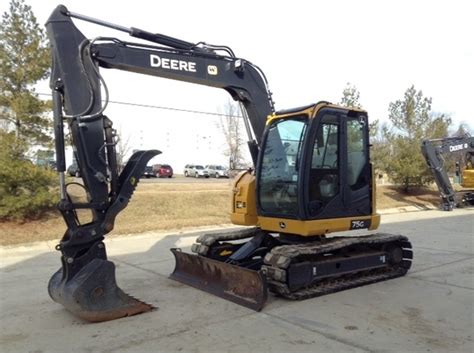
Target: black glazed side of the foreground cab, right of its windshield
337,176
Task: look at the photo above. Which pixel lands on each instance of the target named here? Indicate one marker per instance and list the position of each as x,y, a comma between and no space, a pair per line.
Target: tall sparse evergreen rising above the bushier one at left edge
24,60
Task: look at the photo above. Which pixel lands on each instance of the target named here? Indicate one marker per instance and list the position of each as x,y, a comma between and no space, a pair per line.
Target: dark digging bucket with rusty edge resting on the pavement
93,295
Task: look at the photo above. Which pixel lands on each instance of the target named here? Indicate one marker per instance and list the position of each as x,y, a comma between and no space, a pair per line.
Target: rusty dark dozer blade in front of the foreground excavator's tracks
237,284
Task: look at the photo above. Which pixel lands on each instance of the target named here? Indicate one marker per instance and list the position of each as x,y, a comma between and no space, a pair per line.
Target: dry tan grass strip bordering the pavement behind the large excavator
170,207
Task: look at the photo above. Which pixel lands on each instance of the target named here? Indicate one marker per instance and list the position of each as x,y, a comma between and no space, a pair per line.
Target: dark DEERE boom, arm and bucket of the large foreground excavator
85,284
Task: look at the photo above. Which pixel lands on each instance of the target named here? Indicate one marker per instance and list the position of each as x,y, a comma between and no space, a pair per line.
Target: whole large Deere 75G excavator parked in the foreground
312,176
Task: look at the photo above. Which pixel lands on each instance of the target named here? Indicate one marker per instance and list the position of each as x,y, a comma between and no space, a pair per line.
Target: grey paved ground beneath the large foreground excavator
429,310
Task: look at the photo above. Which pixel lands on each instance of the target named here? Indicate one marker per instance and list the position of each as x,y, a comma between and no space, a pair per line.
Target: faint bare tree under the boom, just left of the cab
231,126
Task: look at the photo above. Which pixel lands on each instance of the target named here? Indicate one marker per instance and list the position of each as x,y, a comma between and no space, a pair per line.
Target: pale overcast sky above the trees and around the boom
308,50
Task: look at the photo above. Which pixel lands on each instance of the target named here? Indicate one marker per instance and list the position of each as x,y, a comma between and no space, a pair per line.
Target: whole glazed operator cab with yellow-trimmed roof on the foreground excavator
315,164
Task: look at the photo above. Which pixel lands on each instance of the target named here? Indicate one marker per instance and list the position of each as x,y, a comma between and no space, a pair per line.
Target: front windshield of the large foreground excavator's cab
278,178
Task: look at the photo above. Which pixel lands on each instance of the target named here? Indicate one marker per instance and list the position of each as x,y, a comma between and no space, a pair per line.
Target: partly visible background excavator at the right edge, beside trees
435,152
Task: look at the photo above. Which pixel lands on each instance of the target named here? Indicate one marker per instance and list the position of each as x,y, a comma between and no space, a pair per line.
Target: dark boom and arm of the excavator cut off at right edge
434,152
